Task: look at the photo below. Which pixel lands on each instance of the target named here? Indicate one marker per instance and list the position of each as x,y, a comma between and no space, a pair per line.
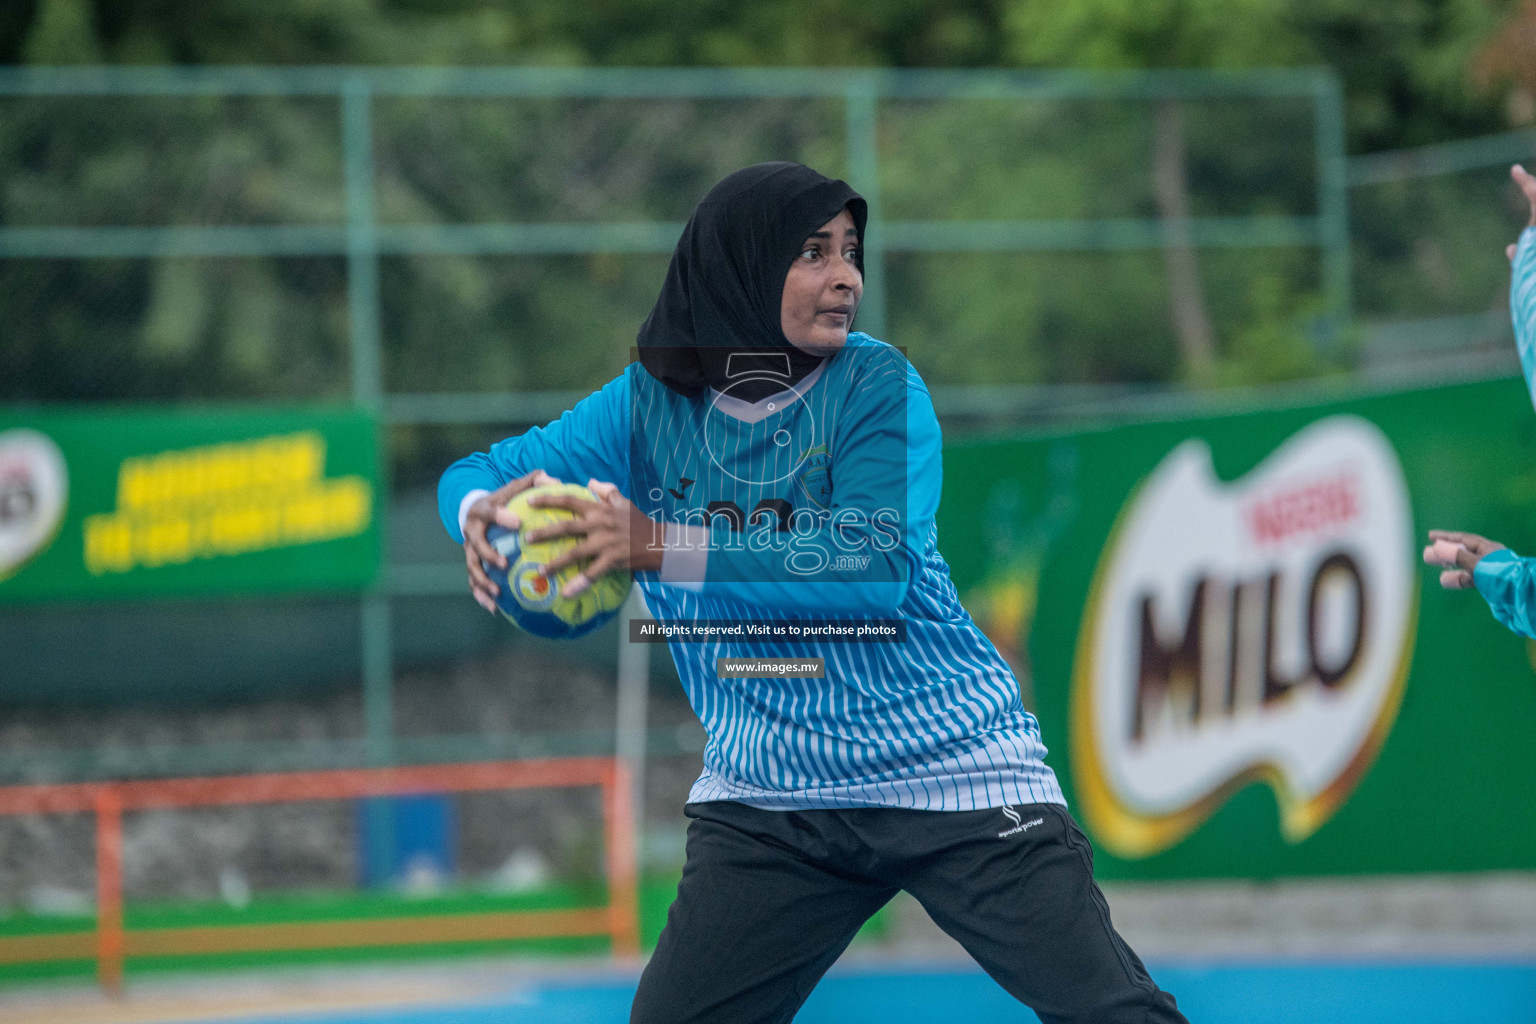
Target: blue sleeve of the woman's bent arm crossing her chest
861,555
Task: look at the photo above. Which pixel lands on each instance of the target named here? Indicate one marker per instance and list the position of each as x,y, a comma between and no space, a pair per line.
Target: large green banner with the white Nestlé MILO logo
1240,664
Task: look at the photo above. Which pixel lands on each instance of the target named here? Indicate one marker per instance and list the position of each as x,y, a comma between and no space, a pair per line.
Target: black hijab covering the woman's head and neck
717,322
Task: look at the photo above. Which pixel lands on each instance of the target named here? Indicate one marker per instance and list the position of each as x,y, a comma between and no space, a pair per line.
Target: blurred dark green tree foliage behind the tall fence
279,328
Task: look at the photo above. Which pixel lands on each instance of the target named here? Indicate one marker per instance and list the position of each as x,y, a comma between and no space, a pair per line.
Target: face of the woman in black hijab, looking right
824,288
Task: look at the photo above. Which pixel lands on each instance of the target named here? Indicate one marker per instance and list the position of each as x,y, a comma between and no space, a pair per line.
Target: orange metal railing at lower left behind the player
111,942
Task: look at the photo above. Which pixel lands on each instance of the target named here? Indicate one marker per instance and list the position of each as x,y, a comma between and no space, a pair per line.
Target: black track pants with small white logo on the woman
770,899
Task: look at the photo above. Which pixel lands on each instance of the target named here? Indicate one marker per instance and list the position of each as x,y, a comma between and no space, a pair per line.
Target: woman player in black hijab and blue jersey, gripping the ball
761,463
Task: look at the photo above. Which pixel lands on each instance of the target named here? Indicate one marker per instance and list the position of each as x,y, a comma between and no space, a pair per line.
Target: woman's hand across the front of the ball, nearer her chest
615,535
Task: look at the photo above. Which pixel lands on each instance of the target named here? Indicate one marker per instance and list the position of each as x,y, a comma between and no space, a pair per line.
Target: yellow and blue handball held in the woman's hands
534,601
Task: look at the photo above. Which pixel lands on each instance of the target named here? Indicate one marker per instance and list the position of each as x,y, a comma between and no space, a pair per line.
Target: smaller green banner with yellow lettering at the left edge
173,503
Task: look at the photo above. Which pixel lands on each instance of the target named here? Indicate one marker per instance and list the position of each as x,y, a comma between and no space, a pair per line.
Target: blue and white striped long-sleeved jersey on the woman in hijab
809,506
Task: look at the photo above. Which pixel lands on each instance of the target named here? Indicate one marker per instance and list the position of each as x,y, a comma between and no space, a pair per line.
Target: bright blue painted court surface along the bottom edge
1228,994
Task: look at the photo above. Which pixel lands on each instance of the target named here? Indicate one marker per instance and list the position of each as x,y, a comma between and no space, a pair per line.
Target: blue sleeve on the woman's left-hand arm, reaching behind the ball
589,441
